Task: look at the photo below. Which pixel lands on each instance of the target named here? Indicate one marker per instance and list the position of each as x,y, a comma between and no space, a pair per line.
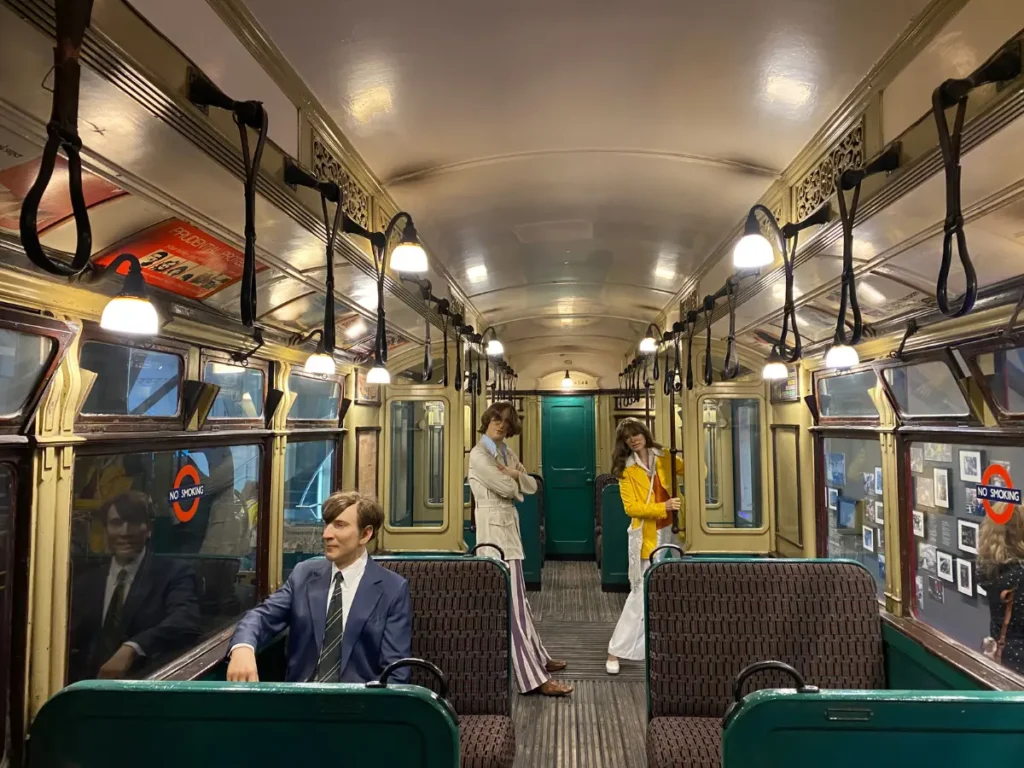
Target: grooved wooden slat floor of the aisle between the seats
603,724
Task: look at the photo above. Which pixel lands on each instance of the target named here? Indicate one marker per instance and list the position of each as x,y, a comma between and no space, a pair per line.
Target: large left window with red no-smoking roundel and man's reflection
163,553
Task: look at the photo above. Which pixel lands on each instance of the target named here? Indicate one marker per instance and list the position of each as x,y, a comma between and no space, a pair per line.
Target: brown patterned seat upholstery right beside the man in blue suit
461,624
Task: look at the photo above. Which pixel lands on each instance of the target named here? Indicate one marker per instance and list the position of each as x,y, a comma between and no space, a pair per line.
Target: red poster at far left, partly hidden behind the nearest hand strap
56,205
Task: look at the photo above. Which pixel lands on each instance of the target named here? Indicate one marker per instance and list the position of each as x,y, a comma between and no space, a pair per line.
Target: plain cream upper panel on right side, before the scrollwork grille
966,42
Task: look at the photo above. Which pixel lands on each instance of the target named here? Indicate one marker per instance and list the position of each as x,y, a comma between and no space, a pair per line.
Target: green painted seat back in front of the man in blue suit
118,724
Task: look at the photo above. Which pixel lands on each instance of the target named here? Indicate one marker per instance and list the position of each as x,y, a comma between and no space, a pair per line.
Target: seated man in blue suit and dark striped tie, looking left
375,618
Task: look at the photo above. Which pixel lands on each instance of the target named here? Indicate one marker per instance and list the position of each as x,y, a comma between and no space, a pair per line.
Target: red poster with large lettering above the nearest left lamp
183,260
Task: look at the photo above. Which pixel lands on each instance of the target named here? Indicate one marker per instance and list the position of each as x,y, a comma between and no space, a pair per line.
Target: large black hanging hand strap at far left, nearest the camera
72,22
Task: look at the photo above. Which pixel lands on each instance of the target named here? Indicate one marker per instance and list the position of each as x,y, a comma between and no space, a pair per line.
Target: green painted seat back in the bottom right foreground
885,730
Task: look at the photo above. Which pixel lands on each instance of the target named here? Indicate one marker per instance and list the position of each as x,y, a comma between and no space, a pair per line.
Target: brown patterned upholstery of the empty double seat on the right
707,621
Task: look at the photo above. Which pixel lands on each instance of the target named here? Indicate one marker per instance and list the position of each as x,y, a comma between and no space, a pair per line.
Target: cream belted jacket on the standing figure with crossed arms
496,495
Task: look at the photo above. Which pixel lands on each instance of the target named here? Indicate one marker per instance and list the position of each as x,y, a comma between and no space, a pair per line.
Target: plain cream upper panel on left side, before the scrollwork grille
197,30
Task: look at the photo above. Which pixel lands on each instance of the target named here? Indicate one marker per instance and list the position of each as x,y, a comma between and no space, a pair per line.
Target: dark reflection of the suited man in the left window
138,611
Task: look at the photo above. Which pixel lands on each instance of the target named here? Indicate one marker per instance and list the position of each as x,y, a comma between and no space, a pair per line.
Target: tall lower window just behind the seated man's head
310,480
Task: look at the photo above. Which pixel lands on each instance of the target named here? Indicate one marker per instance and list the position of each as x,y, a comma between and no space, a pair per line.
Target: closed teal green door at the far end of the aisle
568,447
